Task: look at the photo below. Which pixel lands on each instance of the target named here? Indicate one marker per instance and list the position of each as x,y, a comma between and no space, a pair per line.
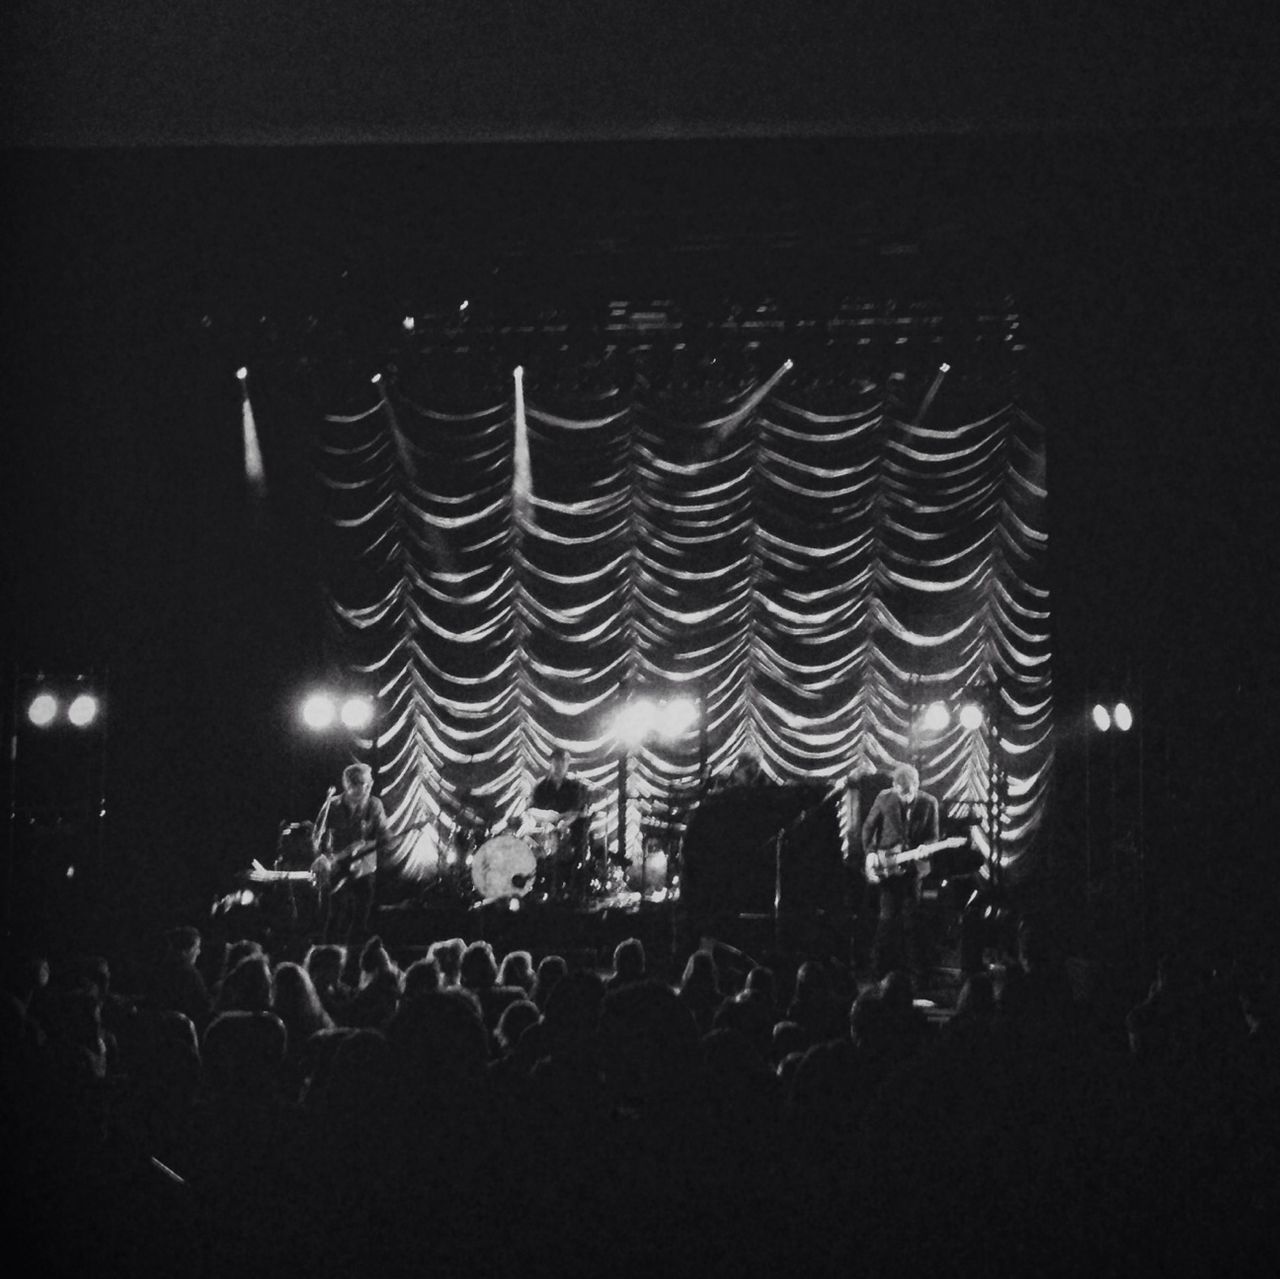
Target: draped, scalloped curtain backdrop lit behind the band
815,551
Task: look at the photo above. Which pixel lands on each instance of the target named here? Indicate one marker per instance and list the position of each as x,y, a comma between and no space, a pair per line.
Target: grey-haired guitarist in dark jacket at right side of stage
902,819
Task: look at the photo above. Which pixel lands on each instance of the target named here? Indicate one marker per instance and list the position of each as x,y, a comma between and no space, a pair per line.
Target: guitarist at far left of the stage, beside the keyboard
355,839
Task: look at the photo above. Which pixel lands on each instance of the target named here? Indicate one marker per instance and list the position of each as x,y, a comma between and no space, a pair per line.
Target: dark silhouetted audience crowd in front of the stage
333,1113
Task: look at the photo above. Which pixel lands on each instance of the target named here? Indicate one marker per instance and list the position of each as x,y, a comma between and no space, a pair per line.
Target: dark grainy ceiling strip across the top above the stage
252,72
